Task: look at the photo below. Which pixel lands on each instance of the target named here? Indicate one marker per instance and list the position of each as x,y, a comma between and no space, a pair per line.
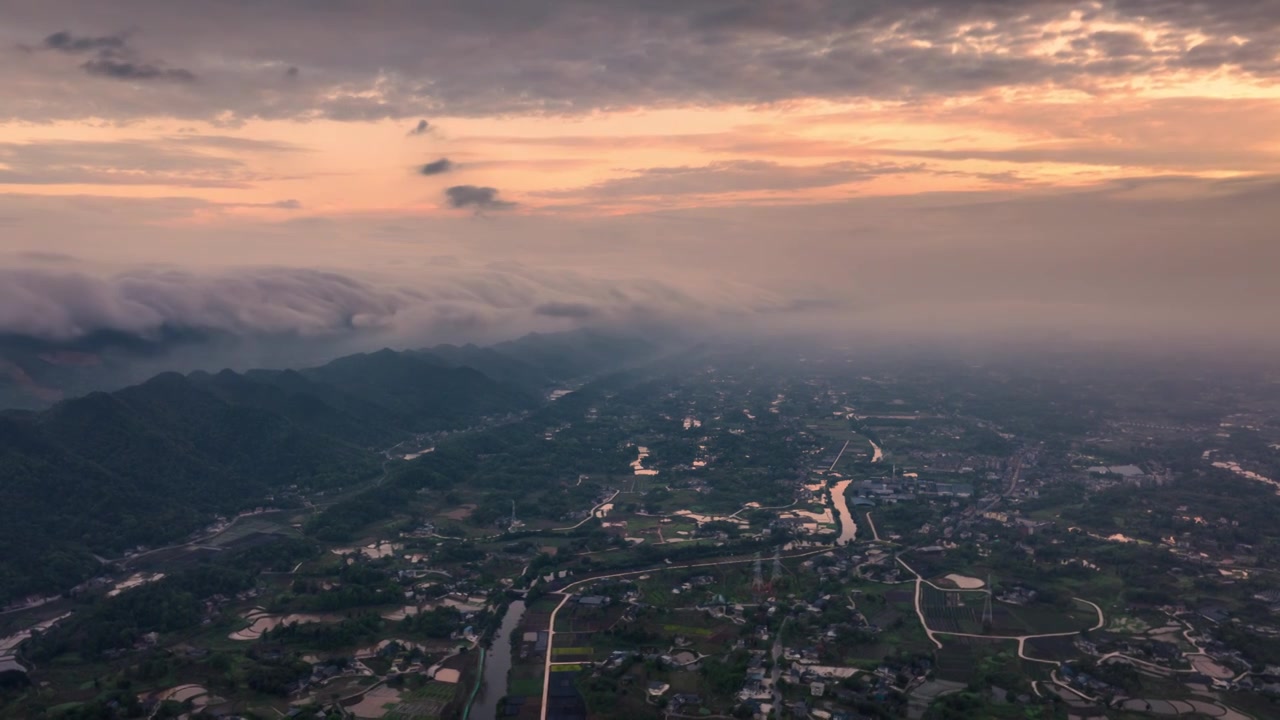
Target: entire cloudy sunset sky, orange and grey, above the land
356,174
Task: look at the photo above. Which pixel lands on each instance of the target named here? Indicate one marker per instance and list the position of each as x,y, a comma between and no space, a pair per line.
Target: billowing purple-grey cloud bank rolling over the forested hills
152,311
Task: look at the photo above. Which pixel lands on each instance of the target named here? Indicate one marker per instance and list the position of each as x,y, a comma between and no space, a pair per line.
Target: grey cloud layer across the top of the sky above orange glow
577,56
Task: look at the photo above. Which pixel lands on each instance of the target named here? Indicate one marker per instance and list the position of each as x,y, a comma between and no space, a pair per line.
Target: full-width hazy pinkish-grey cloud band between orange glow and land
1171,257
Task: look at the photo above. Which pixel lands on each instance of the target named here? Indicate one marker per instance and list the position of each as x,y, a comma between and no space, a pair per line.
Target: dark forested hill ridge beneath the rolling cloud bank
153,463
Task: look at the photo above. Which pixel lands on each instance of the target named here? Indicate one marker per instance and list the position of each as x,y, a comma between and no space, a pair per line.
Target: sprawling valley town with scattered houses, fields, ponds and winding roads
717,539
